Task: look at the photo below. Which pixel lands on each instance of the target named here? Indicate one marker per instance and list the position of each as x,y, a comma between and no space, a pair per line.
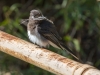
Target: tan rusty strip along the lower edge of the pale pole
27,59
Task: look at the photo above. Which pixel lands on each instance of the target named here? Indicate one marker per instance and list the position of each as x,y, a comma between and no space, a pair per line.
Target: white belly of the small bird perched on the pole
37,39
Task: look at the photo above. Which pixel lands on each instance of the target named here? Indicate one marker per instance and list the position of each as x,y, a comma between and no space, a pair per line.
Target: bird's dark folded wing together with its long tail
48,31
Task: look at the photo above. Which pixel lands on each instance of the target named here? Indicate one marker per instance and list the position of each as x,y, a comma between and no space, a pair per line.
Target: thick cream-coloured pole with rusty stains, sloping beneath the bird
43,58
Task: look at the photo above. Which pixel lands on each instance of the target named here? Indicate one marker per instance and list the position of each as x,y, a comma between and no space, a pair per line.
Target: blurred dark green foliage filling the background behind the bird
77,21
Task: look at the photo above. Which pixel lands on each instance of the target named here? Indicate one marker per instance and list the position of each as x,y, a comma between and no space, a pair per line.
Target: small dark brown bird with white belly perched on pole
42,31
